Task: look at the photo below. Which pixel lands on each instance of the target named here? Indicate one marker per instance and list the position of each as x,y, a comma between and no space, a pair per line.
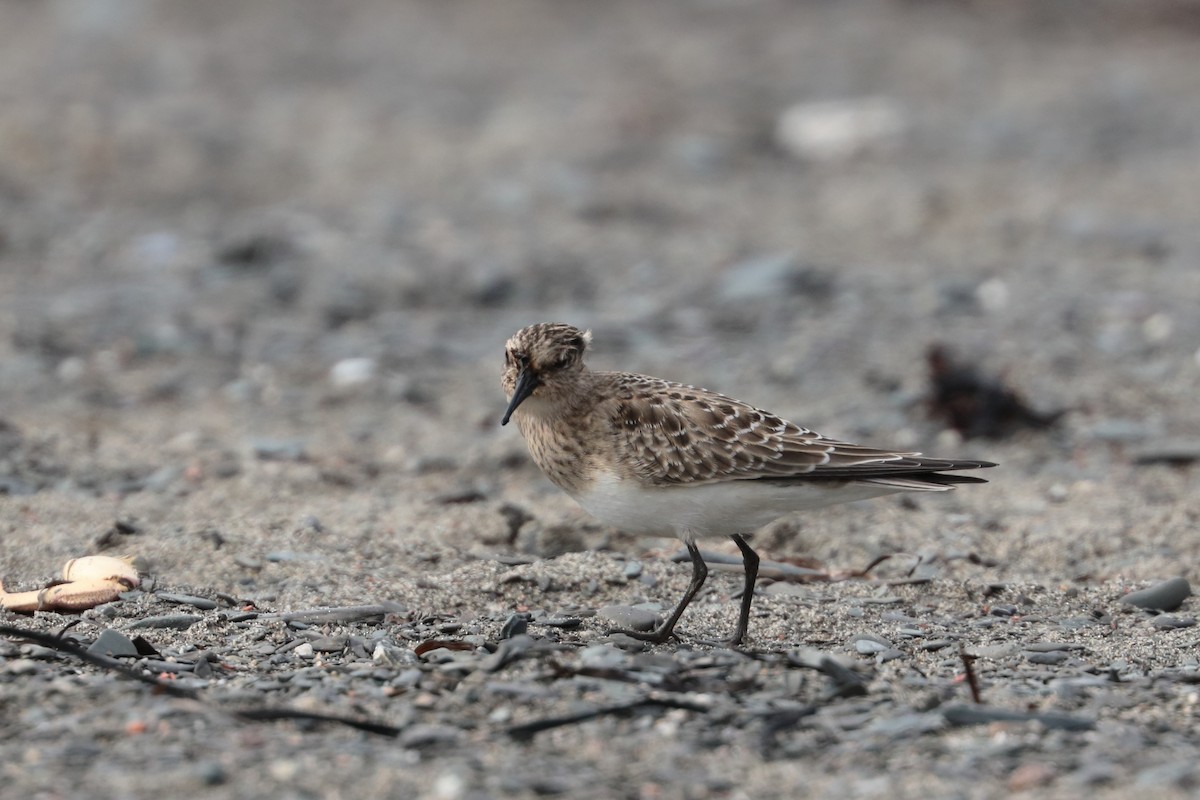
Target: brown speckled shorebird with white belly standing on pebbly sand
655,458
